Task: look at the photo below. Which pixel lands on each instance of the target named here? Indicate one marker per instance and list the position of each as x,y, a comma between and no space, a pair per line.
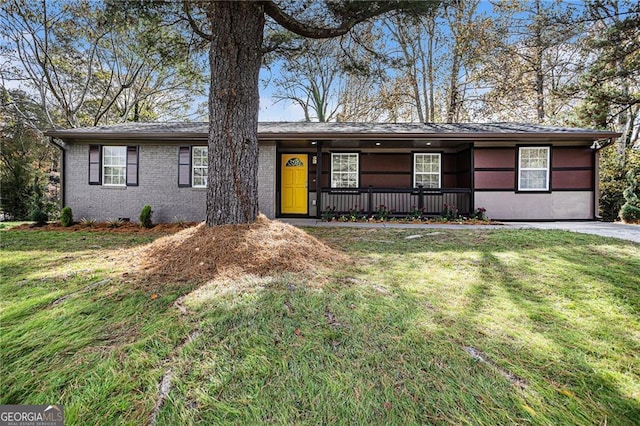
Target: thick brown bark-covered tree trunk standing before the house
235,58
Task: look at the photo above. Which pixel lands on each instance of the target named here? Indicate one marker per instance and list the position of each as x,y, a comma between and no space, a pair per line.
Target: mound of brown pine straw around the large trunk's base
203,253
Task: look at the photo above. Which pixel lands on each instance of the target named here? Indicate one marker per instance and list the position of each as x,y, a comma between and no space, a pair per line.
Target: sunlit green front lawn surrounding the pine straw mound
451,327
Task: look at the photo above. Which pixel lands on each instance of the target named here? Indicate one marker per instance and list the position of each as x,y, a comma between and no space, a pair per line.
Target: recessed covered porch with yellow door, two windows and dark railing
404,177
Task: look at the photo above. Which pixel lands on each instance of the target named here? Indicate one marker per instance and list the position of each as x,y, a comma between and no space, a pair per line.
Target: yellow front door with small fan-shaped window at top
294,183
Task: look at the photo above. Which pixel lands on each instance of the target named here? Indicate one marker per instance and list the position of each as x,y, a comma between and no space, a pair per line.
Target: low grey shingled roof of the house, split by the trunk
338,130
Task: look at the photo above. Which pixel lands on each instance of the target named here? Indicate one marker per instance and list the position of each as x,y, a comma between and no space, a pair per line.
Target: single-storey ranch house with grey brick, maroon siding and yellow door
514,171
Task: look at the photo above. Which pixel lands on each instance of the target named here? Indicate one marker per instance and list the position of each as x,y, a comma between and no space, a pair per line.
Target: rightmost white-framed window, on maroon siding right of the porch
533,168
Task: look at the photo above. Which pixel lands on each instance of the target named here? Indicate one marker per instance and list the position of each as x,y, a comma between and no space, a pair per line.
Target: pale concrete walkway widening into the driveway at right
604,229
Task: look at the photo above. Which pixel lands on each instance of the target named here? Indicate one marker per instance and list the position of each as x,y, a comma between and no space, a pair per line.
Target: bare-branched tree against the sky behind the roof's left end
89,64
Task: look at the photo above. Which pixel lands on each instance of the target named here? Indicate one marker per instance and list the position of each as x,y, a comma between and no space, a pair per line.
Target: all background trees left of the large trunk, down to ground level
79,63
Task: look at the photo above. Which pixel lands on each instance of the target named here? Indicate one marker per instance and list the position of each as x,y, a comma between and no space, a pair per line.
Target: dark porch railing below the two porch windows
401,201
